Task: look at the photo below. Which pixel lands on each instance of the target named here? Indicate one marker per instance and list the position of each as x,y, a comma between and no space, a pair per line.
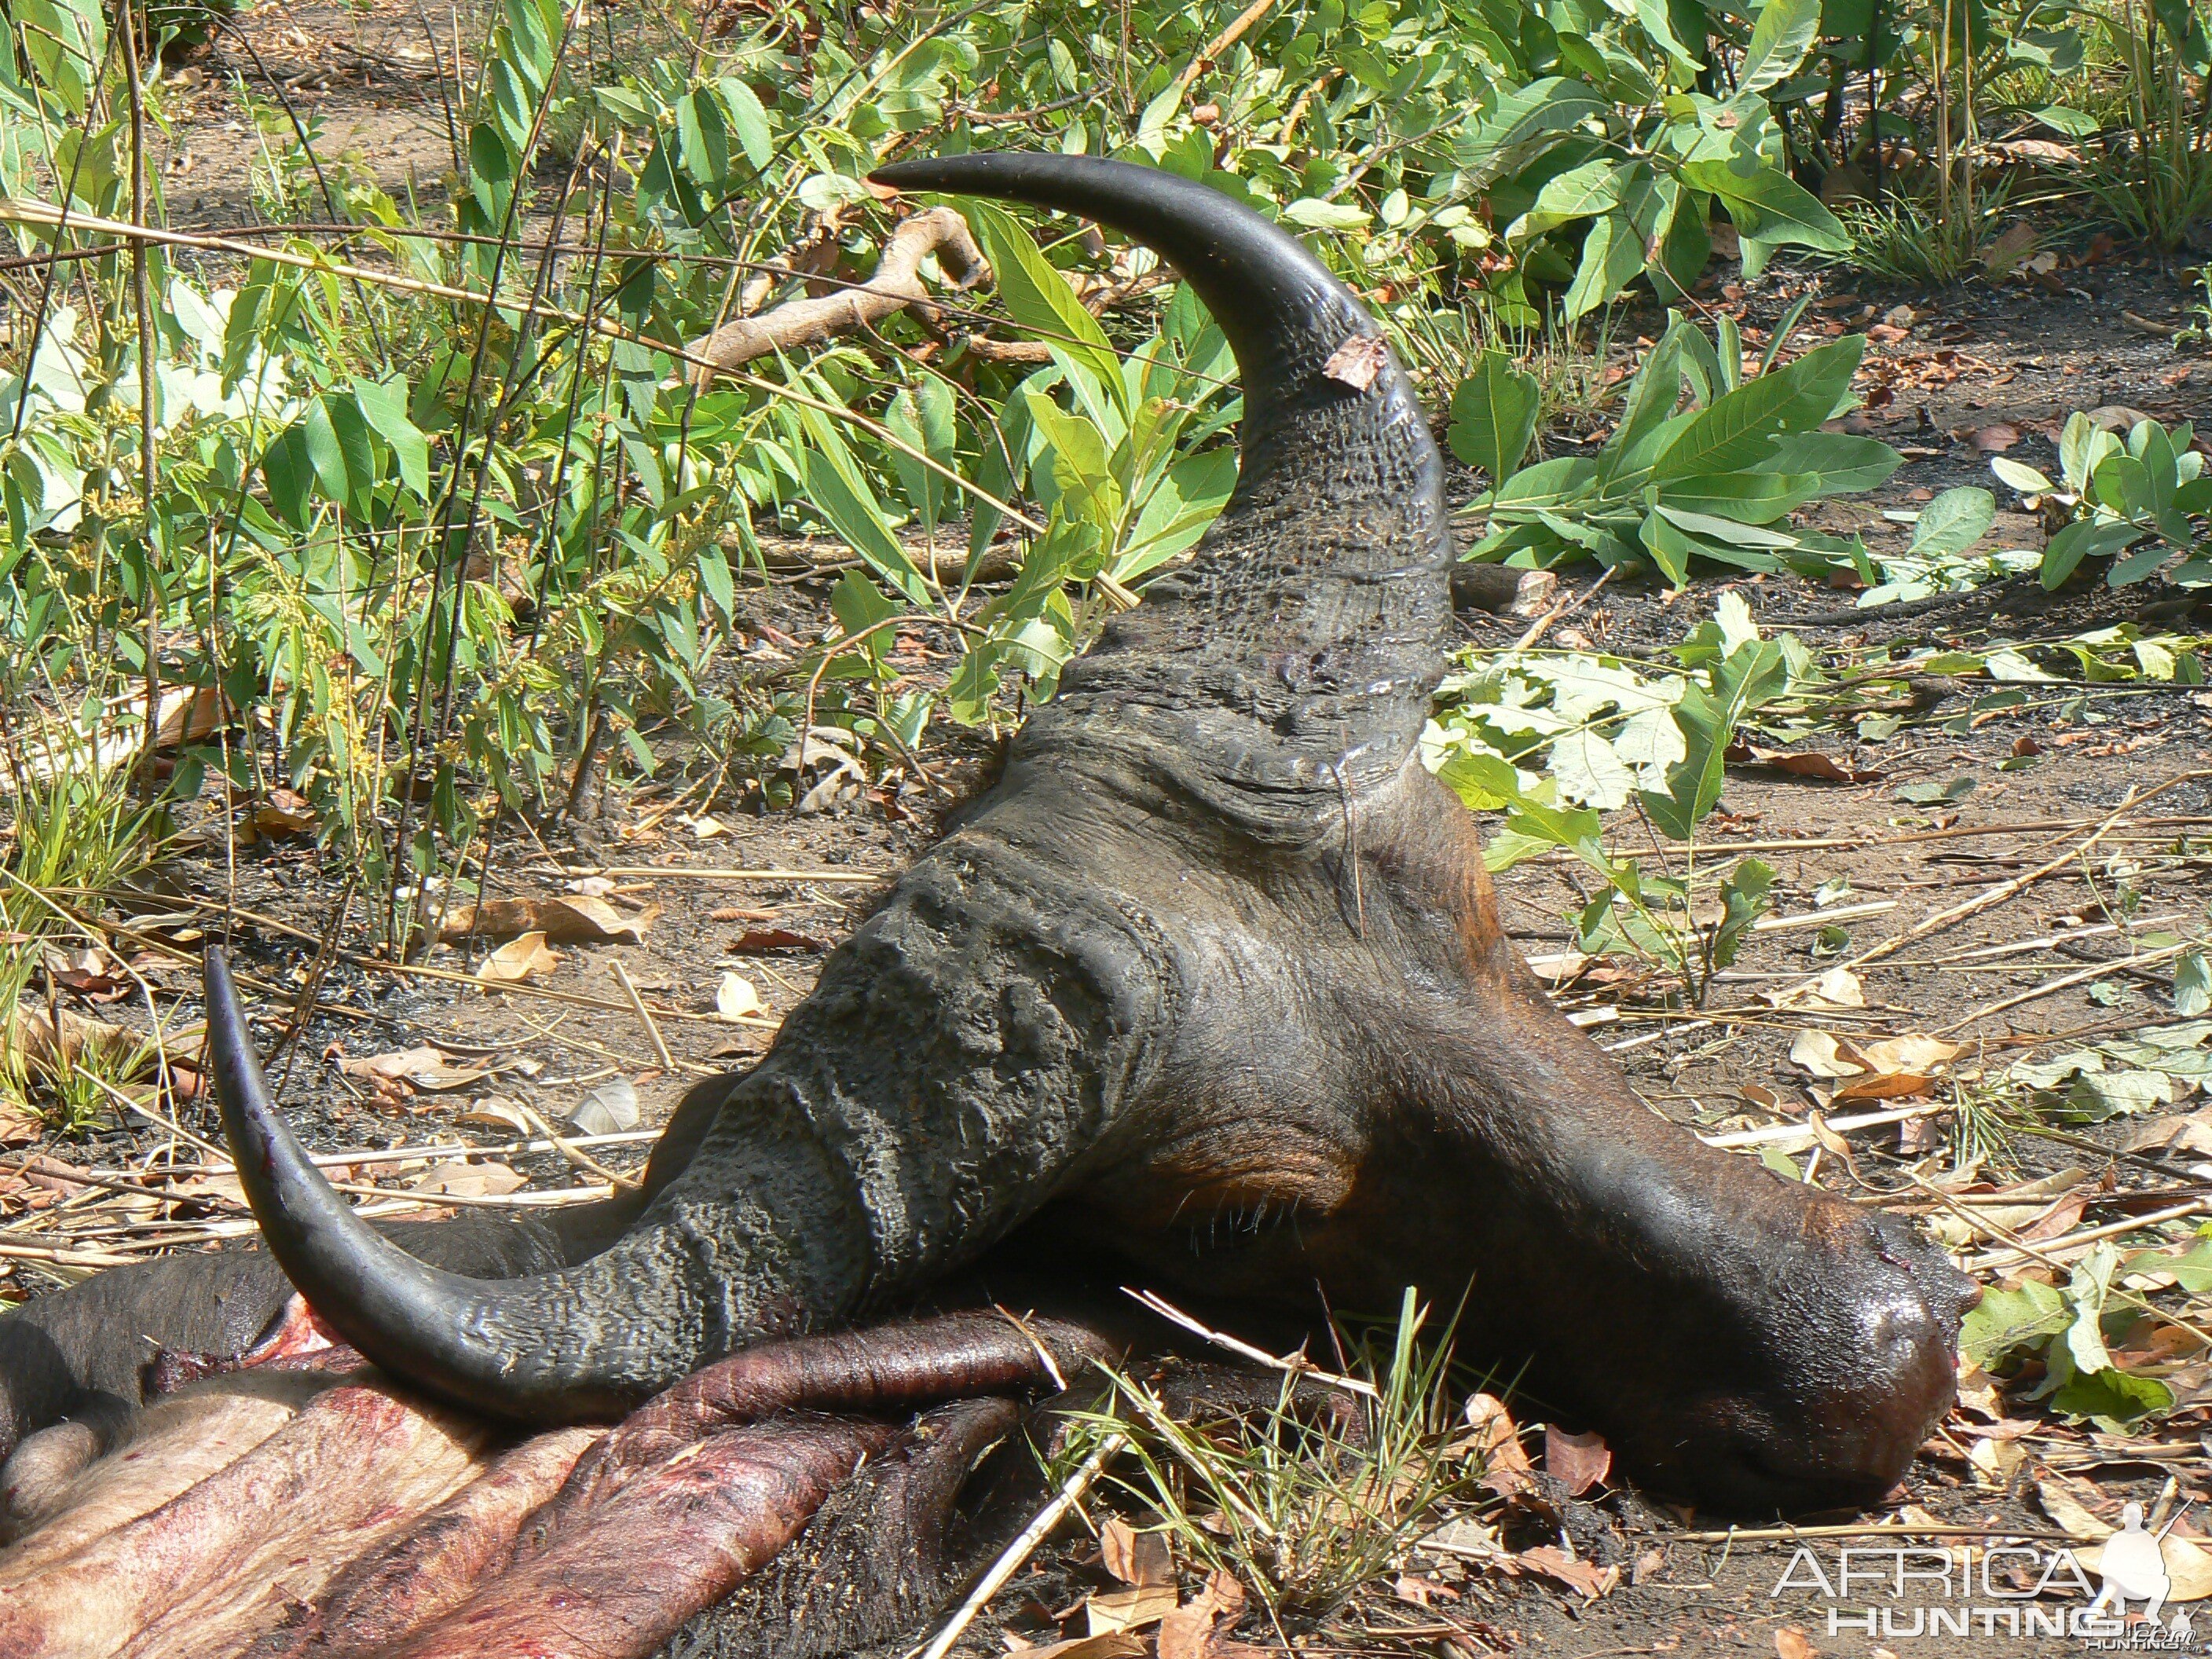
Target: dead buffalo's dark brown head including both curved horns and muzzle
1213,974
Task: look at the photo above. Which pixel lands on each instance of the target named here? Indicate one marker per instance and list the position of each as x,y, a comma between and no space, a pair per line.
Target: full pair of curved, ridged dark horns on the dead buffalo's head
1273,680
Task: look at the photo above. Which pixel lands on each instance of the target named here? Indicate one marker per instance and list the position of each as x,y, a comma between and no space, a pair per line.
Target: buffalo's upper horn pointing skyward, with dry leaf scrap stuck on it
1288,667
